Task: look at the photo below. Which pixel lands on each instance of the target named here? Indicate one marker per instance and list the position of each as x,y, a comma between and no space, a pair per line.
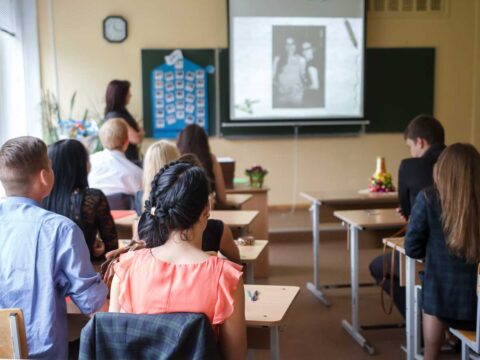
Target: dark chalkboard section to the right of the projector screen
399,85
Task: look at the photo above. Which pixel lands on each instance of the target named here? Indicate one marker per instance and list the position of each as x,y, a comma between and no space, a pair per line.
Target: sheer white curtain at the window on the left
19,70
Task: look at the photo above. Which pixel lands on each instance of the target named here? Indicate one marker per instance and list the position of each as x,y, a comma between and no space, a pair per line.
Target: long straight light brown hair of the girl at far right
457,179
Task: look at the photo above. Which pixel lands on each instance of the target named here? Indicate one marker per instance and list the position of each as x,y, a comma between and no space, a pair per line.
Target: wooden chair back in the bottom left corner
13,340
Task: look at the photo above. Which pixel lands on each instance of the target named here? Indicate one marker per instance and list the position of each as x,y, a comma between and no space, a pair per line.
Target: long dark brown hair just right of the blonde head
193,140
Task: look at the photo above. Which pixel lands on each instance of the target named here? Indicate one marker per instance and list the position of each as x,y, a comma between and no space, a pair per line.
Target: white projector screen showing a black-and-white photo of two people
296,59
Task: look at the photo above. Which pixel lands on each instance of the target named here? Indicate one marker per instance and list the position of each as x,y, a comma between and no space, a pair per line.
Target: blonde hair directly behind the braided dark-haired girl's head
157,156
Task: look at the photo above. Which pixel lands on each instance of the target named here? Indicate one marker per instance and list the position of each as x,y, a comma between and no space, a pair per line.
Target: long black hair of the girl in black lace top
69,163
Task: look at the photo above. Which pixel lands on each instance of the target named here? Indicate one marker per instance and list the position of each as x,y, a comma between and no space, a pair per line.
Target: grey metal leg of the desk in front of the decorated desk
354,328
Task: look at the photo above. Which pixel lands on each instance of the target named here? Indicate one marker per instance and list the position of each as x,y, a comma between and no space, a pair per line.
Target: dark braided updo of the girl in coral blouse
178,196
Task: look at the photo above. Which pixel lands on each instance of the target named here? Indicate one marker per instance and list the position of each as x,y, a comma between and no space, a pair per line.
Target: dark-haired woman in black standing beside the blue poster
117,98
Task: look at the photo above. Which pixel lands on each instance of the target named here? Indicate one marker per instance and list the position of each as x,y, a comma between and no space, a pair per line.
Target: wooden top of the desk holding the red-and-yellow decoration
349,197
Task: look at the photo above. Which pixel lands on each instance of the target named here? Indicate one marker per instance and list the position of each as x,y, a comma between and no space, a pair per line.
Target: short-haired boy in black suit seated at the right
425,138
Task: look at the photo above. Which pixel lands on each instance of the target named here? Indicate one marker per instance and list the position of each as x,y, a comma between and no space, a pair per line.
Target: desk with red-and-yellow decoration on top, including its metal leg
342,200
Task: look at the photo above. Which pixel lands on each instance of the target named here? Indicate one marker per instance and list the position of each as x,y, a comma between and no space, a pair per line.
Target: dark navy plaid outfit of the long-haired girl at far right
449,284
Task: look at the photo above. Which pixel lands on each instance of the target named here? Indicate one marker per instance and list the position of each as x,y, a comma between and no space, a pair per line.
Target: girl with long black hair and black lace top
72,197
